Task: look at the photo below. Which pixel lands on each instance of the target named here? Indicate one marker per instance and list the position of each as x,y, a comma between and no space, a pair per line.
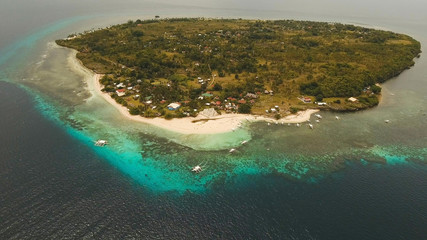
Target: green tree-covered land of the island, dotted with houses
243,66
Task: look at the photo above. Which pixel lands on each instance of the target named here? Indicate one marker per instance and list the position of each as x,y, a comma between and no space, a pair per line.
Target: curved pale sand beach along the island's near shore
188,125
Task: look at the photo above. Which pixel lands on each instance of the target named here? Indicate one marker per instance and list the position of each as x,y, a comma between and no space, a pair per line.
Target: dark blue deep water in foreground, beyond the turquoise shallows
55,186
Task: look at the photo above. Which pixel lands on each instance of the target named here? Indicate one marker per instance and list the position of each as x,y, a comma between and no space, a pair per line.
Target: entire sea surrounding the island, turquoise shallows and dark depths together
356,179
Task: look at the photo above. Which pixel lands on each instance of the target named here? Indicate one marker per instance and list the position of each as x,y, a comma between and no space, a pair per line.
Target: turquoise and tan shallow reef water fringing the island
161,160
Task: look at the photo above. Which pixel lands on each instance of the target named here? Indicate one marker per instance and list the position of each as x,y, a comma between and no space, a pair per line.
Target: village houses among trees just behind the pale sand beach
153,106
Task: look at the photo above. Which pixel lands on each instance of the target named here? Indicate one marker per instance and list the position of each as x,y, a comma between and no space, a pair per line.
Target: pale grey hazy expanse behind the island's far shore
20,17
